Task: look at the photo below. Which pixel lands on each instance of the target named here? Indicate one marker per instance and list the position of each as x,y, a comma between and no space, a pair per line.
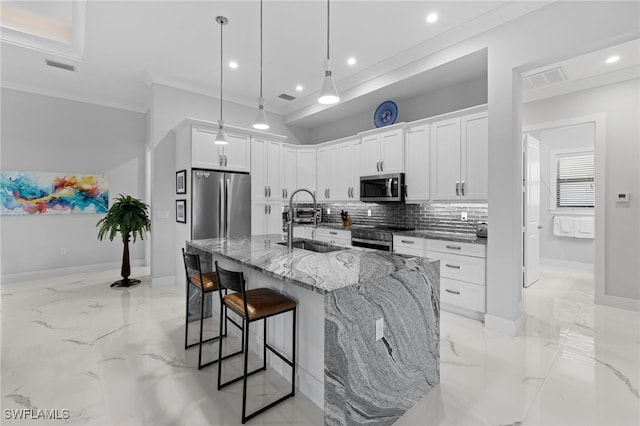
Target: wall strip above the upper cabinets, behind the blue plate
428,104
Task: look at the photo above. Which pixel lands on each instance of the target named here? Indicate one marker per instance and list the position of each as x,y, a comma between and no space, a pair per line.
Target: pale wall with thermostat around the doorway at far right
621,104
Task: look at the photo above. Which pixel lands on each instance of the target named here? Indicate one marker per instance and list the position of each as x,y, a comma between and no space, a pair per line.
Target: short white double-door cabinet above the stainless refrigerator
234,156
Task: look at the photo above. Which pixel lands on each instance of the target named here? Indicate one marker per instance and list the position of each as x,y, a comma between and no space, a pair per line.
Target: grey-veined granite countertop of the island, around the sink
321,272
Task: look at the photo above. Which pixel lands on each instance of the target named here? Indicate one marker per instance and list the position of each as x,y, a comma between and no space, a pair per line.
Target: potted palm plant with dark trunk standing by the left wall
128,216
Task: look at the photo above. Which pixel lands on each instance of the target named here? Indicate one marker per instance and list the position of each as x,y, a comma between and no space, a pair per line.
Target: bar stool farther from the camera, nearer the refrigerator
207,283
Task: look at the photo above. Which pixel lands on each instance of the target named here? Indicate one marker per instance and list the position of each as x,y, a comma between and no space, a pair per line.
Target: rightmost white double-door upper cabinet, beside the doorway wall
459,158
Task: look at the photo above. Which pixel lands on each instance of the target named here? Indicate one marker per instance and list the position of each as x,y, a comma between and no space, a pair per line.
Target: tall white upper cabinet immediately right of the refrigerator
265,170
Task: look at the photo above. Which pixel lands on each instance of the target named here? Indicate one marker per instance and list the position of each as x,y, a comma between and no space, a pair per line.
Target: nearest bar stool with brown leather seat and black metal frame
253,305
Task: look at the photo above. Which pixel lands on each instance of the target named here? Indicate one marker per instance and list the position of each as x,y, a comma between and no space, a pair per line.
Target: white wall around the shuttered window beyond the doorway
551,246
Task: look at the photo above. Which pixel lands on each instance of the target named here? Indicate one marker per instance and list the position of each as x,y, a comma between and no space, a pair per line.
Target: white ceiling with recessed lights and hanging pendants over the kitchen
124,46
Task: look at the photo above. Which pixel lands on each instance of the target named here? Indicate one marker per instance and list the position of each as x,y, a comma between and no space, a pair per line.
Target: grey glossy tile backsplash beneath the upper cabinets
433,216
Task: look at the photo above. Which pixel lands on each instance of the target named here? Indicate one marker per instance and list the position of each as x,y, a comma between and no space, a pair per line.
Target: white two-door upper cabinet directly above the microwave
383,152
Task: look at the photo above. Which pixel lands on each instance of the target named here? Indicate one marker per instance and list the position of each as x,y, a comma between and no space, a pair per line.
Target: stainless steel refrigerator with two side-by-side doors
220,204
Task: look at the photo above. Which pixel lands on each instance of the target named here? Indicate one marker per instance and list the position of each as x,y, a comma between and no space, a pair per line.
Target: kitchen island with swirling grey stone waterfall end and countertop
342,367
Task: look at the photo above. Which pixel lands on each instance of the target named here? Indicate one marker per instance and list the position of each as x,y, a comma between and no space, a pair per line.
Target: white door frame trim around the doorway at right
600,151
